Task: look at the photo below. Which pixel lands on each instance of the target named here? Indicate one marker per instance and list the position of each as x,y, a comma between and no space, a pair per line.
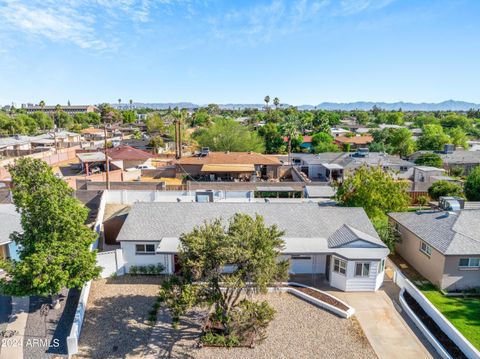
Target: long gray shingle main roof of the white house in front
153,221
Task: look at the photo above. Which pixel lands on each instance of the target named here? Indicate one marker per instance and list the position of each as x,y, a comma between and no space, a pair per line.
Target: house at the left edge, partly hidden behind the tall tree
9,223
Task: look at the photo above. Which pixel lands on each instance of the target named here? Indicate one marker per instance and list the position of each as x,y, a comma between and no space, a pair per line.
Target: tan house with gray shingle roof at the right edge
444,247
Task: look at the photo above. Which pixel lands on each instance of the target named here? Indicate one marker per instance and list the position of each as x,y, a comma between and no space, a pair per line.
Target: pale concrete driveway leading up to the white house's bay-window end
388,331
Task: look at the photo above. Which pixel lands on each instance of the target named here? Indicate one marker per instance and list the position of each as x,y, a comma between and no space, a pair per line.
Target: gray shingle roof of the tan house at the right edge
450,233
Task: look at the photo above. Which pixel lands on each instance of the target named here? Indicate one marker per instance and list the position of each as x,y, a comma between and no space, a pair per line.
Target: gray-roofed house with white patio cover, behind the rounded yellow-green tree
333,166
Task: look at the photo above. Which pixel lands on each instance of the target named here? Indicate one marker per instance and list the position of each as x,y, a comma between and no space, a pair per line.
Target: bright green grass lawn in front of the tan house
463,313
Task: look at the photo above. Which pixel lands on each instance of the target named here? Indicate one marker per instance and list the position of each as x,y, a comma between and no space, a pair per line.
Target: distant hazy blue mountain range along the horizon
450,105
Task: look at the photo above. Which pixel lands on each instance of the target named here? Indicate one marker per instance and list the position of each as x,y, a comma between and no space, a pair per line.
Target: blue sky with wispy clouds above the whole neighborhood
203,51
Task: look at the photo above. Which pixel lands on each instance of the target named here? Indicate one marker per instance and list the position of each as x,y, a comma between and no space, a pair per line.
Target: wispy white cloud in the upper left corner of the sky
81,22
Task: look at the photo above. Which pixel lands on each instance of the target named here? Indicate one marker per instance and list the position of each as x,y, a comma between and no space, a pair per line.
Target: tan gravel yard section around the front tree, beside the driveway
299,330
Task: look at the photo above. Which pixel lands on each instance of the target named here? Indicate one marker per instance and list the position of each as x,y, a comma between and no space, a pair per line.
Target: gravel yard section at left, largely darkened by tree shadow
115,323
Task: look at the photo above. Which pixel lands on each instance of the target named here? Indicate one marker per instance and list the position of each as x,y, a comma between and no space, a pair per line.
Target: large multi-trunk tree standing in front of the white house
249,250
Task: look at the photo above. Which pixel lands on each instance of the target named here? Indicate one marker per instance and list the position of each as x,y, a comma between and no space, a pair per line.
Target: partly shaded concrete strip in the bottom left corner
13,348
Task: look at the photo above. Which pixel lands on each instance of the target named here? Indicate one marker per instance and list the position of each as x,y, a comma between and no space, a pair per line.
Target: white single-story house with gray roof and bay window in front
338,243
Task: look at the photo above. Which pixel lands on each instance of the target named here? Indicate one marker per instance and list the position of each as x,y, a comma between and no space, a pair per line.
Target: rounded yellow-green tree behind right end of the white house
375,190
